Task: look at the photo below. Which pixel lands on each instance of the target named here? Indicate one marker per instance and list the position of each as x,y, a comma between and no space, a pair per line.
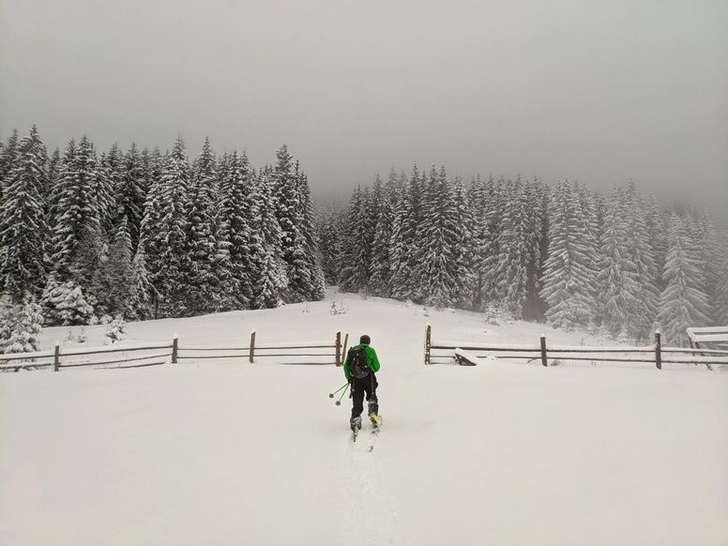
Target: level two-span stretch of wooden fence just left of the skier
304,353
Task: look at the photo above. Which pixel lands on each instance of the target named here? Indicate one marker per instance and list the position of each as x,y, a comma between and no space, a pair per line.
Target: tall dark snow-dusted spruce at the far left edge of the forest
23,230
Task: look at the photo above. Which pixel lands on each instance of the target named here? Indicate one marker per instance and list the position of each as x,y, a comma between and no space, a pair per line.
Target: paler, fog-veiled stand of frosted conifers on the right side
619,262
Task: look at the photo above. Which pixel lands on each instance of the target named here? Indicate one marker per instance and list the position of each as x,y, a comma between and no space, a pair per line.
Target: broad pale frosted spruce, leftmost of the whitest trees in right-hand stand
568,288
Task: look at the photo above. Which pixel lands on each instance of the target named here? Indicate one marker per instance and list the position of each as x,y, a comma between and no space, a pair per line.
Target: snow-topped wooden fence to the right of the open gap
466,353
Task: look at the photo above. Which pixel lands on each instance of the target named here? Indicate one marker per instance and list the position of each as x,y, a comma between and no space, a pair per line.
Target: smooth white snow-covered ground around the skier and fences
230,453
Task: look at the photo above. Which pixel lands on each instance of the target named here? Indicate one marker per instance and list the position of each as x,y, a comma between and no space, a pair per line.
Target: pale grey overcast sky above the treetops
601,91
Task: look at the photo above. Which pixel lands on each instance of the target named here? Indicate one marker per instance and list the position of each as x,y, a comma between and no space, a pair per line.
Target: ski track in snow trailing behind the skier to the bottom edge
369,519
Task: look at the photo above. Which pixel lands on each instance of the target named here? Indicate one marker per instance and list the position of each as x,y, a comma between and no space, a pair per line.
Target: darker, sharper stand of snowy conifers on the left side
144,234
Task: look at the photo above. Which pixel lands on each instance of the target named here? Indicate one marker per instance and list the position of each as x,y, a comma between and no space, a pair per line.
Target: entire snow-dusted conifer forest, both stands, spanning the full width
89,235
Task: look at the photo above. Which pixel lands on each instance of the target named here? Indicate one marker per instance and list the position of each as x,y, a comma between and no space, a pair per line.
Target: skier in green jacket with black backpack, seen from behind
359,368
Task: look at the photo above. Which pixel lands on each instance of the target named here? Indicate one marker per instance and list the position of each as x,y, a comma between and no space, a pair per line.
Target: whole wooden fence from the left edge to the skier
155,354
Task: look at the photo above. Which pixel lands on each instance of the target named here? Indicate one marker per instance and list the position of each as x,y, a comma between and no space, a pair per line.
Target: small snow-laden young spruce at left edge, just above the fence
20,326
